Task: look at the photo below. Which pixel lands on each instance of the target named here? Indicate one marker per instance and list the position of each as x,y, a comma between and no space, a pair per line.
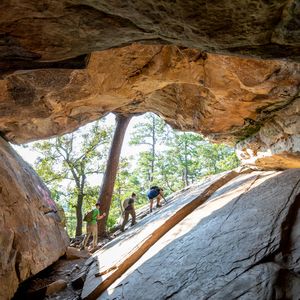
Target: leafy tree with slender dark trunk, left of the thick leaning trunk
73,157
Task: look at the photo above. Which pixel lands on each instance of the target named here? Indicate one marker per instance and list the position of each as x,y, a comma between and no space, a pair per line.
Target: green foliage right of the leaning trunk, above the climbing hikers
180,158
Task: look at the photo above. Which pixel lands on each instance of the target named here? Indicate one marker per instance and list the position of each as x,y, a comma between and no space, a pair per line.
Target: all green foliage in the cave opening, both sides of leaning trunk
166,158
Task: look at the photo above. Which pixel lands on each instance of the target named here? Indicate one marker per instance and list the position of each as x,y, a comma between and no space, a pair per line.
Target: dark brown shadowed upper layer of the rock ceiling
62,31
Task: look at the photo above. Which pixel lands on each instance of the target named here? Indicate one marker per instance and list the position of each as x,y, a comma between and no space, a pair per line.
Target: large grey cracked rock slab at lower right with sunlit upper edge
243,243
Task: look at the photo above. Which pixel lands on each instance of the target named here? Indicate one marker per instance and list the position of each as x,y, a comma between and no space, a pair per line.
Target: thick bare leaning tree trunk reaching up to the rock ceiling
110,174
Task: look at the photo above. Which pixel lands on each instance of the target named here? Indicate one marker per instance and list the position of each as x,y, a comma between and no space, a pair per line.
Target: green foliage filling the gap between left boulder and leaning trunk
68,162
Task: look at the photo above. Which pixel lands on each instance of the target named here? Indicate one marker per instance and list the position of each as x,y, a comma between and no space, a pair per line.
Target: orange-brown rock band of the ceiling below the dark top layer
226,98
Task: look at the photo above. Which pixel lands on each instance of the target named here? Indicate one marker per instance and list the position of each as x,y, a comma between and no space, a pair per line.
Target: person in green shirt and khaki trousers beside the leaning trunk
91,227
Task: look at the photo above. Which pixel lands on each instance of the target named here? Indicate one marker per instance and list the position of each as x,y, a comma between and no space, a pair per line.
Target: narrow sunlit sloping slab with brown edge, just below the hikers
117,256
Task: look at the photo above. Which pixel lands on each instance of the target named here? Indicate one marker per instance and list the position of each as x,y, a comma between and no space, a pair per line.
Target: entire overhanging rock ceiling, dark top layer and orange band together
66,63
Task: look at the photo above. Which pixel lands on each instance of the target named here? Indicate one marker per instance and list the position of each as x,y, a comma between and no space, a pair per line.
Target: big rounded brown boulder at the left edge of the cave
31,236
